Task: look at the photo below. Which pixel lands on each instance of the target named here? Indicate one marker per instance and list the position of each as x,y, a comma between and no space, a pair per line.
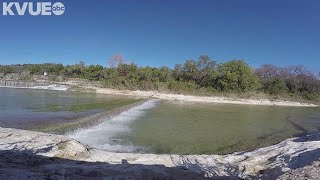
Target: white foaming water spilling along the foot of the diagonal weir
104,135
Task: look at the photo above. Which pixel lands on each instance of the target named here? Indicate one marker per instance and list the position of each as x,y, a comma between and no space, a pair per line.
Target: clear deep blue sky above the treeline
167,32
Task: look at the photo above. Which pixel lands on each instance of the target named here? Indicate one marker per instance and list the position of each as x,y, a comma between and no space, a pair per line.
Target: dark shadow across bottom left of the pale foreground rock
26,165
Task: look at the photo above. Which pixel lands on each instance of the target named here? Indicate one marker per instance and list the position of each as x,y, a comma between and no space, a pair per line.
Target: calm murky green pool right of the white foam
214,128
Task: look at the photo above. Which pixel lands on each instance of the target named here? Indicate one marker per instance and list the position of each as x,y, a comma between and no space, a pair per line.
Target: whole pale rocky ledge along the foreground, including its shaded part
35,155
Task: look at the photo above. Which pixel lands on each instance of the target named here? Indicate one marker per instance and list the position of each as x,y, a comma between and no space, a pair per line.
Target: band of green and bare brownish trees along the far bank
194,76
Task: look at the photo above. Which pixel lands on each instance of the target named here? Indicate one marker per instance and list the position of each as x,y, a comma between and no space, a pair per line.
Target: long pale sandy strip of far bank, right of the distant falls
208,99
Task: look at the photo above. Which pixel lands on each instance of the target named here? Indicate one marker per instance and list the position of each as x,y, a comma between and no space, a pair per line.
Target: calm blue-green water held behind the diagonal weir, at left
38,109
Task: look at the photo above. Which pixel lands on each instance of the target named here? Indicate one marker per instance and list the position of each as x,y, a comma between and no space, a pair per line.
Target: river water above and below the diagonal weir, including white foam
159,126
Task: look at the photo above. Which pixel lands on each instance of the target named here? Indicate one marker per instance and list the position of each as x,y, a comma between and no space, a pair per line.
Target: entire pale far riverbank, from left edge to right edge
73,86
